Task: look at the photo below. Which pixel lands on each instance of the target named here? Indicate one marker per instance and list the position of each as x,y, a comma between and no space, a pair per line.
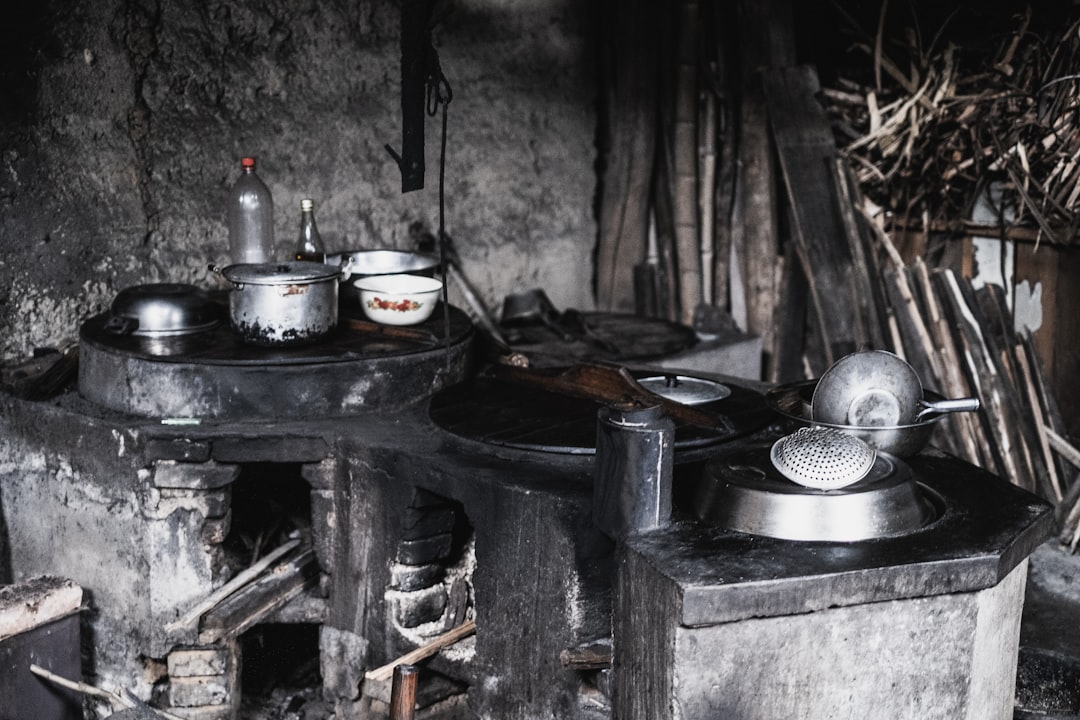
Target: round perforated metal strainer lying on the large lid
822,458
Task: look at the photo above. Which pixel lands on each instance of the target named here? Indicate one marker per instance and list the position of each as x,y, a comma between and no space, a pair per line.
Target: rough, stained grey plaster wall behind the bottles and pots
125,123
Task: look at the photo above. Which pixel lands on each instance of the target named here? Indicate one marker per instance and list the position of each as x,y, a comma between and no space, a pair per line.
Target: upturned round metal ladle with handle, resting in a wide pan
877,389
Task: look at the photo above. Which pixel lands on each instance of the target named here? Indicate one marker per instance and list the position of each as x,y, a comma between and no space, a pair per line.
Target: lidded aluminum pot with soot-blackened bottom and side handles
282,304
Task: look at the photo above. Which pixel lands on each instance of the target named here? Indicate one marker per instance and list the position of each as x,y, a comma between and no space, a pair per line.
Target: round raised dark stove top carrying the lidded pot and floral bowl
213,375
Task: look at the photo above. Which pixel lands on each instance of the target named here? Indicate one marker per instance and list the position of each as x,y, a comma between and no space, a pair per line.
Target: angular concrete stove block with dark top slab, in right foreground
712,623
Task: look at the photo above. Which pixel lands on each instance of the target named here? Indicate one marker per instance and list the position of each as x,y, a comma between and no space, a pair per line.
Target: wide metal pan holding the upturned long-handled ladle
792,402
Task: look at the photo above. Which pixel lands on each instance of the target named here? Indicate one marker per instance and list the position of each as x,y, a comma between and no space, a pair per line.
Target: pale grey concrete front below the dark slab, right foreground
949,658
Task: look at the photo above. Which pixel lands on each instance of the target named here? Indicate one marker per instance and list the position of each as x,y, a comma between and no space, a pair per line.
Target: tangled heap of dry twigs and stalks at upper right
933,127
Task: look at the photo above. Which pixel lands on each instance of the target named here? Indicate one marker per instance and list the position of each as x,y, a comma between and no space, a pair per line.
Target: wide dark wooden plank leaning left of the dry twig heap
807,154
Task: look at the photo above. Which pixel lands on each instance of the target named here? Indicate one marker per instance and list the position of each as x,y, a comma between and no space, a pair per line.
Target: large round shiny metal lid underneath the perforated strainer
744,492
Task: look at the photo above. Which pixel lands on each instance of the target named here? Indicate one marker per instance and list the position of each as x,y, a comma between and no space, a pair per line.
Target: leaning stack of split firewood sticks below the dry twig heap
964,343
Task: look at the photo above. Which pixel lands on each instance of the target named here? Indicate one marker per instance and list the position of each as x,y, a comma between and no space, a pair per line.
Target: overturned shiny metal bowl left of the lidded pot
161,310
